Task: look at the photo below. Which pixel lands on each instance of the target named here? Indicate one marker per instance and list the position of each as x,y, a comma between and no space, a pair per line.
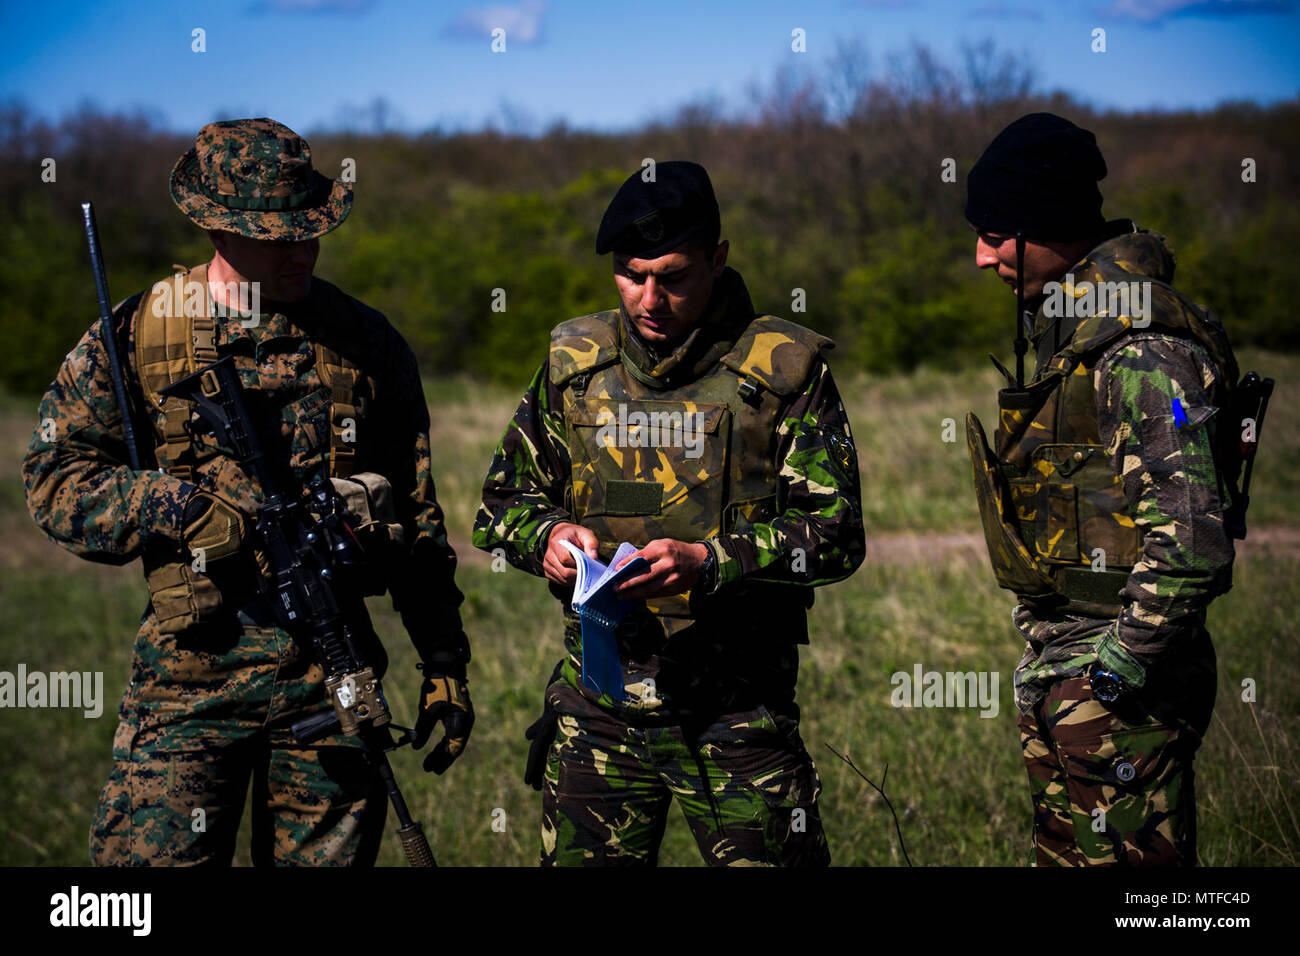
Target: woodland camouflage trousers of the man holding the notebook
748,789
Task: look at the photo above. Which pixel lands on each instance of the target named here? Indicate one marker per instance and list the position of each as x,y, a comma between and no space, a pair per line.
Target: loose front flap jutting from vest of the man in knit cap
1015,566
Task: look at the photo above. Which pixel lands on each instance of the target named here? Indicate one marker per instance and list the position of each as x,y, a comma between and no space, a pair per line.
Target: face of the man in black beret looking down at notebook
666,297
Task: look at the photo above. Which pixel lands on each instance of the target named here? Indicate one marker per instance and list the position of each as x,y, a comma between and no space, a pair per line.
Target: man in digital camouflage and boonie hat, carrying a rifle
332,386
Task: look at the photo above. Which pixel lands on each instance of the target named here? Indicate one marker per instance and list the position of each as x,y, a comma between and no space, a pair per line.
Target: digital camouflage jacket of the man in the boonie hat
85,498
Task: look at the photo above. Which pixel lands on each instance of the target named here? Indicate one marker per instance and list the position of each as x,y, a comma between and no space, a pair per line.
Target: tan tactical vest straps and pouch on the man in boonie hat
172,341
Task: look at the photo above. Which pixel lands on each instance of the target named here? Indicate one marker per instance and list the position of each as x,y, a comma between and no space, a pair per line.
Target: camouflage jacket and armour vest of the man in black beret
773,487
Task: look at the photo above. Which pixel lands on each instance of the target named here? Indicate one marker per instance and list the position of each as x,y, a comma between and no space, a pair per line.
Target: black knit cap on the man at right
1039,175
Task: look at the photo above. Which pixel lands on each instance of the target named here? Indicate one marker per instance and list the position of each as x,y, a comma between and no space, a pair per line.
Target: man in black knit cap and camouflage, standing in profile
1103,501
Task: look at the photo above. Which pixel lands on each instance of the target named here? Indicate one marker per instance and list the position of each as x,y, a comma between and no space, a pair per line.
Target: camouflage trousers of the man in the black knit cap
1112,786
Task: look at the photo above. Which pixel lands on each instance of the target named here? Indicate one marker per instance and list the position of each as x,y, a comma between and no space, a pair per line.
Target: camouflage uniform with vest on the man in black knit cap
1115,540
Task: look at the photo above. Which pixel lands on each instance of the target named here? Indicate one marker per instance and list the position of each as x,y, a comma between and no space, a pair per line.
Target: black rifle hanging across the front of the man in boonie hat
315,587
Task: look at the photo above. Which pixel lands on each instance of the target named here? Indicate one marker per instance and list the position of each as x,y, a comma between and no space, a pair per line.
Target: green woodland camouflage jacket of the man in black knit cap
1171,488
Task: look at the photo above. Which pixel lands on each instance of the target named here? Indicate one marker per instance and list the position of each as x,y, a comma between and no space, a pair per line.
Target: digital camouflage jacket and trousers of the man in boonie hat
210,704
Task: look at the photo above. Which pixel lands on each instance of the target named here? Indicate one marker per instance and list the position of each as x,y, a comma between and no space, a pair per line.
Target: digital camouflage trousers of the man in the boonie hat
209,712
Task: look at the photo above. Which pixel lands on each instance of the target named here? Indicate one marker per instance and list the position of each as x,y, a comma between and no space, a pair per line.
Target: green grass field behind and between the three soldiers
925,596
